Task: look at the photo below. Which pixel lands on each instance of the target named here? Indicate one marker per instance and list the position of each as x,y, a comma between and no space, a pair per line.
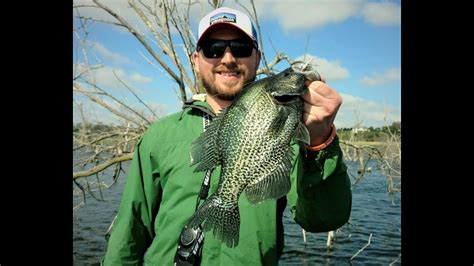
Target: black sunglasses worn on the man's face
215,48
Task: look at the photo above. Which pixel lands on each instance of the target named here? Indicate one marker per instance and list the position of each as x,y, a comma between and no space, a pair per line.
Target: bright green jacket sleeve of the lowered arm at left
133,230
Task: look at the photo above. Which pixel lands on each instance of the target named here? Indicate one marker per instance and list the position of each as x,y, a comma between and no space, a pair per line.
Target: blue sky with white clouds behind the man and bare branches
355,45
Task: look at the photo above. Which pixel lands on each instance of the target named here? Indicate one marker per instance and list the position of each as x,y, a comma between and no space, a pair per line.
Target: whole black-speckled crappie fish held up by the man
251,141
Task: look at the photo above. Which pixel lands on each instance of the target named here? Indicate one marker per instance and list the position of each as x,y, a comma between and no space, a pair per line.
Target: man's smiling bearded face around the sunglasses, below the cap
225,76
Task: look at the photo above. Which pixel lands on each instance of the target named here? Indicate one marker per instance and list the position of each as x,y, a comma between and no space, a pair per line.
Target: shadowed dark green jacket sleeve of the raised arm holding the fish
320,197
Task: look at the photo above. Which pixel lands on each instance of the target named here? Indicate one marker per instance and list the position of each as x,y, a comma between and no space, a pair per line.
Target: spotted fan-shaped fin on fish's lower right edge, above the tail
272,186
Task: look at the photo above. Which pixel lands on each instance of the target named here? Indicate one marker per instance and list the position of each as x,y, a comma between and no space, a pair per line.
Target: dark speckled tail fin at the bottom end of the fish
222,217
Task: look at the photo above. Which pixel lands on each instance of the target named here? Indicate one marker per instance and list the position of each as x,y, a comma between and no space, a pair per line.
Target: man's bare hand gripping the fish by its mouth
321,104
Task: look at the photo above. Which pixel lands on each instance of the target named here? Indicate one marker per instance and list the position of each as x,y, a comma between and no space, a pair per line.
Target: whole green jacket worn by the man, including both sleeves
161,192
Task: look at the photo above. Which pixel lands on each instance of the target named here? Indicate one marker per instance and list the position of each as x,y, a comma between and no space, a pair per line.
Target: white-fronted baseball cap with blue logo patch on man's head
227,16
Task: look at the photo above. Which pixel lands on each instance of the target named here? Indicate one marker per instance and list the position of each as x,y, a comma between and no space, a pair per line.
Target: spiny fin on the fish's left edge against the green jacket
205,149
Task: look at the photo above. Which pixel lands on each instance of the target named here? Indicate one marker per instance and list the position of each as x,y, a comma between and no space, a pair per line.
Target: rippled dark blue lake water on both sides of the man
375,213
